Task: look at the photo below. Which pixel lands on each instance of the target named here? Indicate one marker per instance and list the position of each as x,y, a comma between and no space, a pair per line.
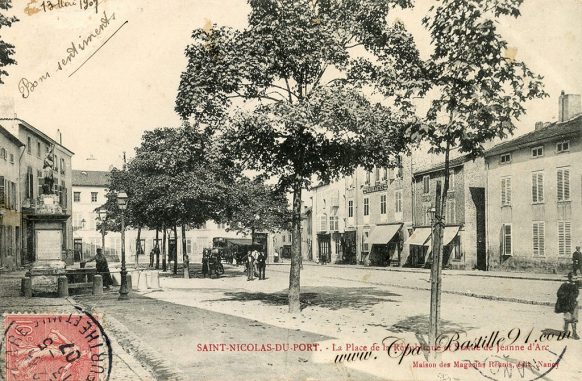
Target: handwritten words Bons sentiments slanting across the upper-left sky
27,86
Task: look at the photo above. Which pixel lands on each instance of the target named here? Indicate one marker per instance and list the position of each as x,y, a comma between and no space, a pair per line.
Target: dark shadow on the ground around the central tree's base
333,298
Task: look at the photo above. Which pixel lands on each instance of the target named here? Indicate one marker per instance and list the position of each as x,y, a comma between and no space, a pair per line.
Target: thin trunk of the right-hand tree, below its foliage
436,272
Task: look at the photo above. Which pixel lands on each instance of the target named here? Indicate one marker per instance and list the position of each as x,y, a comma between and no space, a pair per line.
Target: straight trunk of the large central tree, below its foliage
295,272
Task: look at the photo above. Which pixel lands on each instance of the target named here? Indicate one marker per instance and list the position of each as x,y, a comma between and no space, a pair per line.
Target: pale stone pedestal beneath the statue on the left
49,226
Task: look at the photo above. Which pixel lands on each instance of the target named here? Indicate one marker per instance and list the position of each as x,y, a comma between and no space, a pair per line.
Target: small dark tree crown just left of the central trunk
254,206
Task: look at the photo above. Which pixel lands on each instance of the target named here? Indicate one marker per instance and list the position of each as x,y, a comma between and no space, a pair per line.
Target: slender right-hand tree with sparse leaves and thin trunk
480,92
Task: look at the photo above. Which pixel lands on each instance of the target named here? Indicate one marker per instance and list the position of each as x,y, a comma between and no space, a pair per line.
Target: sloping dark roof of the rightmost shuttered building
549,132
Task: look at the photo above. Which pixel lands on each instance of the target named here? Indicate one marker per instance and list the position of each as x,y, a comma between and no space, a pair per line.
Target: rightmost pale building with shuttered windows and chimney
534,192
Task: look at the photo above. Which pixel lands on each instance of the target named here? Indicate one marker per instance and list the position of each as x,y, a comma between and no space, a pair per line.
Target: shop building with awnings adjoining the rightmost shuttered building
464,241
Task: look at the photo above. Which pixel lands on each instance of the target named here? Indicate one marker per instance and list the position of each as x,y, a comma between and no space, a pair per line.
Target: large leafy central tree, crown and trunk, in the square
300,70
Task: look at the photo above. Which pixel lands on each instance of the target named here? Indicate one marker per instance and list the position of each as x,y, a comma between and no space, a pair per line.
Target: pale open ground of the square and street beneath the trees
169,331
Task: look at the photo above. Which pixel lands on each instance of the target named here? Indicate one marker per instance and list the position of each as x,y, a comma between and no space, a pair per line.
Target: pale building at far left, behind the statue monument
28,169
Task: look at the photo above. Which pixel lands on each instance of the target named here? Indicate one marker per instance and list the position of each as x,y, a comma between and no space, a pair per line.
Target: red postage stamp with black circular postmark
45,346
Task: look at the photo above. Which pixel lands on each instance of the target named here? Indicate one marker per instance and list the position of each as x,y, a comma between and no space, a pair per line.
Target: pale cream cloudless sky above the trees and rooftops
129,85
